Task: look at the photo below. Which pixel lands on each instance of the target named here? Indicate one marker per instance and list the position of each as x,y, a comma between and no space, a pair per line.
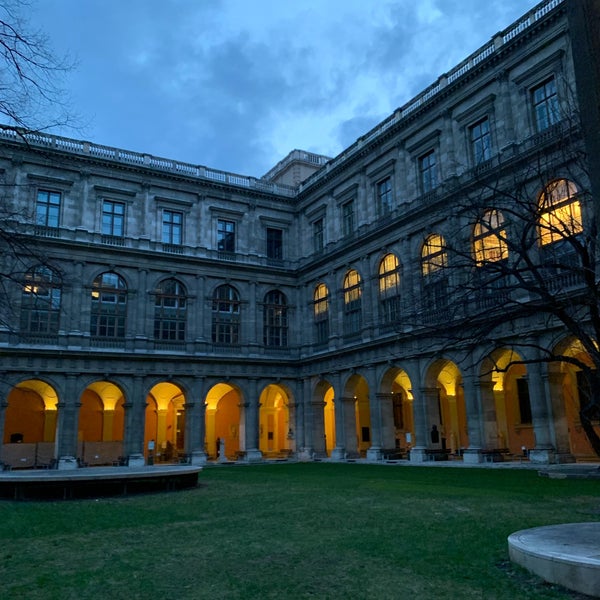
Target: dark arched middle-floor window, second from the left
109,306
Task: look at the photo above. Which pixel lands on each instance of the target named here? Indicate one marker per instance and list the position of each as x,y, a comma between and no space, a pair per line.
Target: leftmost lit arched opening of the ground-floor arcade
30,425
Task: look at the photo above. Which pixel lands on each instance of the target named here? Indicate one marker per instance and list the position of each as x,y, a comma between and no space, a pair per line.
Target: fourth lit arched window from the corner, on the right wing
434,260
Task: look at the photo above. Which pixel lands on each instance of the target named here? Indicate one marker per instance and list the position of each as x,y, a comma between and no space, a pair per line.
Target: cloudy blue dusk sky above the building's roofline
237,84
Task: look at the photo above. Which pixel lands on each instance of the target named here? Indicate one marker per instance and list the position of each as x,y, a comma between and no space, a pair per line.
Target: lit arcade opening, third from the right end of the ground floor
445,406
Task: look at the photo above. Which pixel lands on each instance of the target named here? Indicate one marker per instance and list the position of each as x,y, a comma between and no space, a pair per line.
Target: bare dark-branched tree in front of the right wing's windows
526,259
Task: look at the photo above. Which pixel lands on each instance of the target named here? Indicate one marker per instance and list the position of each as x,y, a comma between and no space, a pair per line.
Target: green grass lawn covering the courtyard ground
293,531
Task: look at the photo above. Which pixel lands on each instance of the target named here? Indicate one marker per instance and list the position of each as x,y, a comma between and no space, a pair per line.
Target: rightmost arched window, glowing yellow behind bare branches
559,212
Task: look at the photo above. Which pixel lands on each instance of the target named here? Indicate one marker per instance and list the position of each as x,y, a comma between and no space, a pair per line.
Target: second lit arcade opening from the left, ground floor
101,424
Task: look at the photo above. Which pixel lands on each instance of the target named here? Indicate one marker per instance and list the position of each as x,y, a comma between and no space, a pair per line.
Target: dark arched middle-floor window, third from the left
170,310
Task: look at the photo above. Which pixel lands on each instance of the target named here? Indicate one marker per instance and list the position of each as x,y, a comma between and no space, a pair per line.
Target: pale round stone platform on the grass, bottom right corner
568,555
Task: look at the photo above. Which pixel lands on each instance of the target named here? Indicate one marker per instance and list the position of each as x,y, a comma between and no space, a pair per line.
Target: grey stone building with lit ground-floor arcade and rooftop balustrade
163,308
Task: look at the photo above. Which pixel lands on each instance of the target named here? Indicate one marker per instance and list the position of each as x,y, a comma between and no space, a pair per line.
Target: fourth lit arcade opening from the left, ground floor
223,418
